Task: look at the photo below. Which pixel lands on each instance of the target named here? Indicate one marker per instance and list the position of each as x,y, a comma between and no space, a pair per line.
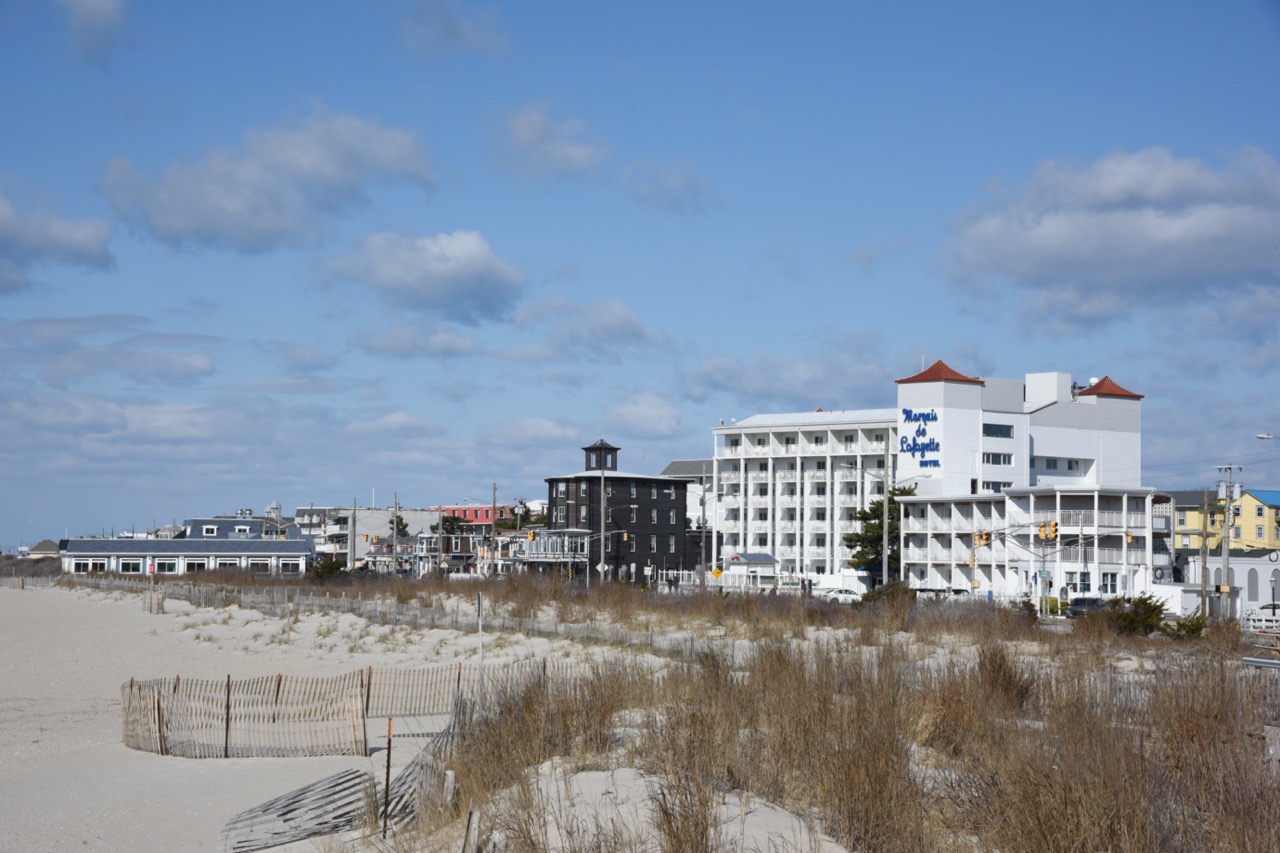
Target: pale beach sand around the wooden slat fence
68,783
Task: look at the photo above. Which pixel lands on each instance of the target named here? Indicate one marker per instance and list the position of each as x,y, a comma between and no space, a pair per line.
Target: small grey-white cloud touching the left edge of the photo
44,239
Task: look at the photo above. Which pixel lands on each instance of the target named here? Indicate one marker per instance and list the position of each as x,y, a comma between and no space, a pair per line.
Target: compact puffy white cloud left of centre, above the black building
455,276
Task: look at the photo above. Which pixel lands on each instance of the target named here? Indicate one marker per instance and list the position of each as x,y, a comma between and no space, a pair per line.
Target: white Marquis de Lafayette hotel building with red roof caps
991,462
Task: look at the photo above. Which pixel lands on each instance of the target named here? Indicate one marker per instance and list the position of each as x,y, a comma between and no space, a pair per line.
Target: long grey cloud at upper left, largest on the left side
272,190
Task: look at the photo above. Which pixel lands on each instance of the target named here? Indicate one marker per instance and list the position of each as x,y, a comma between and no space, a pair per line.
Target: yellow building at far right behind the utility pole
1255,521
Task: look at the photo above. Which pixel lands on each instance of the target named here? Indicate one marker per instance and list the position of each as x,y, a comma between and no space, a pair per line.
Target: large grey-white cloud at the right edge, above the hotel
1089,247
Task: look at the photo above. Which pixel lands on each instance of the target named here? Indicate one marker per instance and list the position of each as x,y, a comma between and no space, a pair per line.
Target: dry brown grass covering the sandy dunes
909,728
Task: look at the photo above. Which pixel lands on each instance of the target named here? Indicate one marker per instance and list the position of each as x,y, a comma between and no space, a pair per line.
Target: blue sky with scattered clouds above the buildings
324,252
